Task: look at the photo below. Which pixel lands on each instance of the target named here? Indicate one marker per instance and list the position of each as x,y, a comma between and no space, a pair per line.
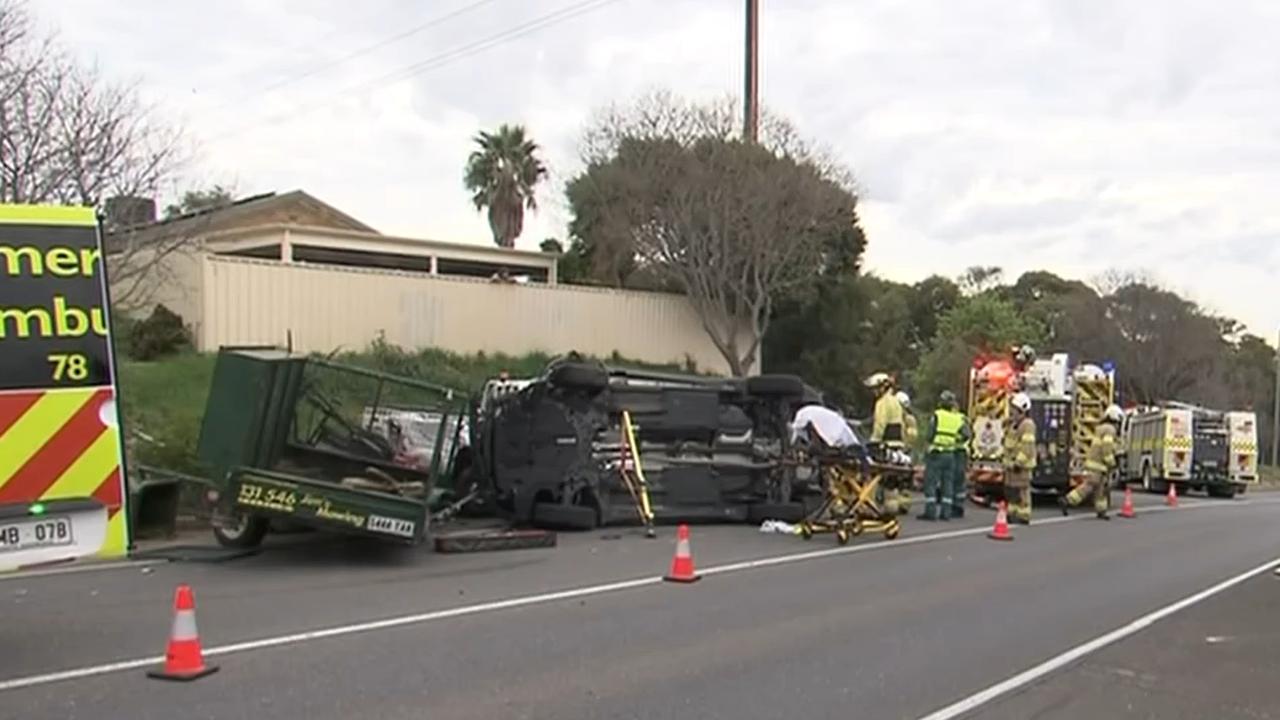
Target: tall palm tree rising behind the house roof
502,176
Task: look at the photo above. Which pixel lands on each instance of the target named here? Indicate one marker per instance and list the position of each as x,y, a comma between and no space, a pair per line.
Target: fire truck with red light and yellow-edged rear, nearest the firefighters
1068,403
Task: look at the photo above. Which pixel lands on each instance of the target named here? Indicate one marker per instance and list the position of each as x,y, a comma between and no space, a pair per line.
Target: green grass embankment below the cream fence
166,399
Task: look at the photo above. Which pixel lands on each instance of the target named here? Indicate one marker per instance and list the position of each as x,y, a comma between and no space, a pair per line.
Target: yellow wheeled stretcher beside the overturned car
856,484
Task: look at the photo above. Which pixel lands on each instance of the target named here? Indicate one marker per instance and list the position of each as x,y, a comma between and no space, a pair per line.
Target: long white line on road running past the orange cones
524,601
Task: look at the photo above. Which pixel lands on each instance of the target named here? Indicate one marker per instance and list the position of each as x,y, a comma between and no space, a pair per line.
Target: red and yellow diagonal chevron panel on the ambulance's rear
63,444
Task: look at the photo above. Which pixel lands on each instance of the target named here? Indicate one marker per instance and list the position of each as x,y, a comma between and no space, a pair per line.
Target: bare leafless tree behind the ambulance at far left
70,136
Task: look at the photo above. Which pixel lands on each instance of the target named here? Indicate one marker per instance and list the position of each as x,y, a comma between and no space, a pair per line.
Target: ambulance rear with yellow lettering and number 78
62,471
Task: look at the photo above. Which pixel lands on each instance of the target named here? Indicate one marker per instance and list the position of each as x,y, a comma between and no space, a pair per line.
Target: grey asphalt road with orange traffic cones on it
895,630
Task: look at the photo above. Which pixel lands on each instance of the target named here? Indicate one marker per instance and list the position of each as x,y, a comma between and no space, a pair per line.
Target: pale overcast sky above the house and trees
1067,135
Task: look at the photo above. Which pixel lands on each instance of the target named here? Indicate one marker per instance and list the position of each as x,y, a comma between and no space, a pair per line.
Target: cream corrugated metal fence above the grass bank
324,308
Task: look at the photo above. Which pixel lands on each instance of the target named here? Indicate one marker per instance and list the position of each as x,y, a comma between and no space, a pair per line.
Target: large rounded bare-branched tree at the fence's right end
671,189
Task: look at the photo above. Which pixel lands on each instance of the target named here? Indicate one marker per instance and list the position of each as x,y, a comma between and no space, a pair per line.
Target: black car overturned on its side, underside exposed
551,452
